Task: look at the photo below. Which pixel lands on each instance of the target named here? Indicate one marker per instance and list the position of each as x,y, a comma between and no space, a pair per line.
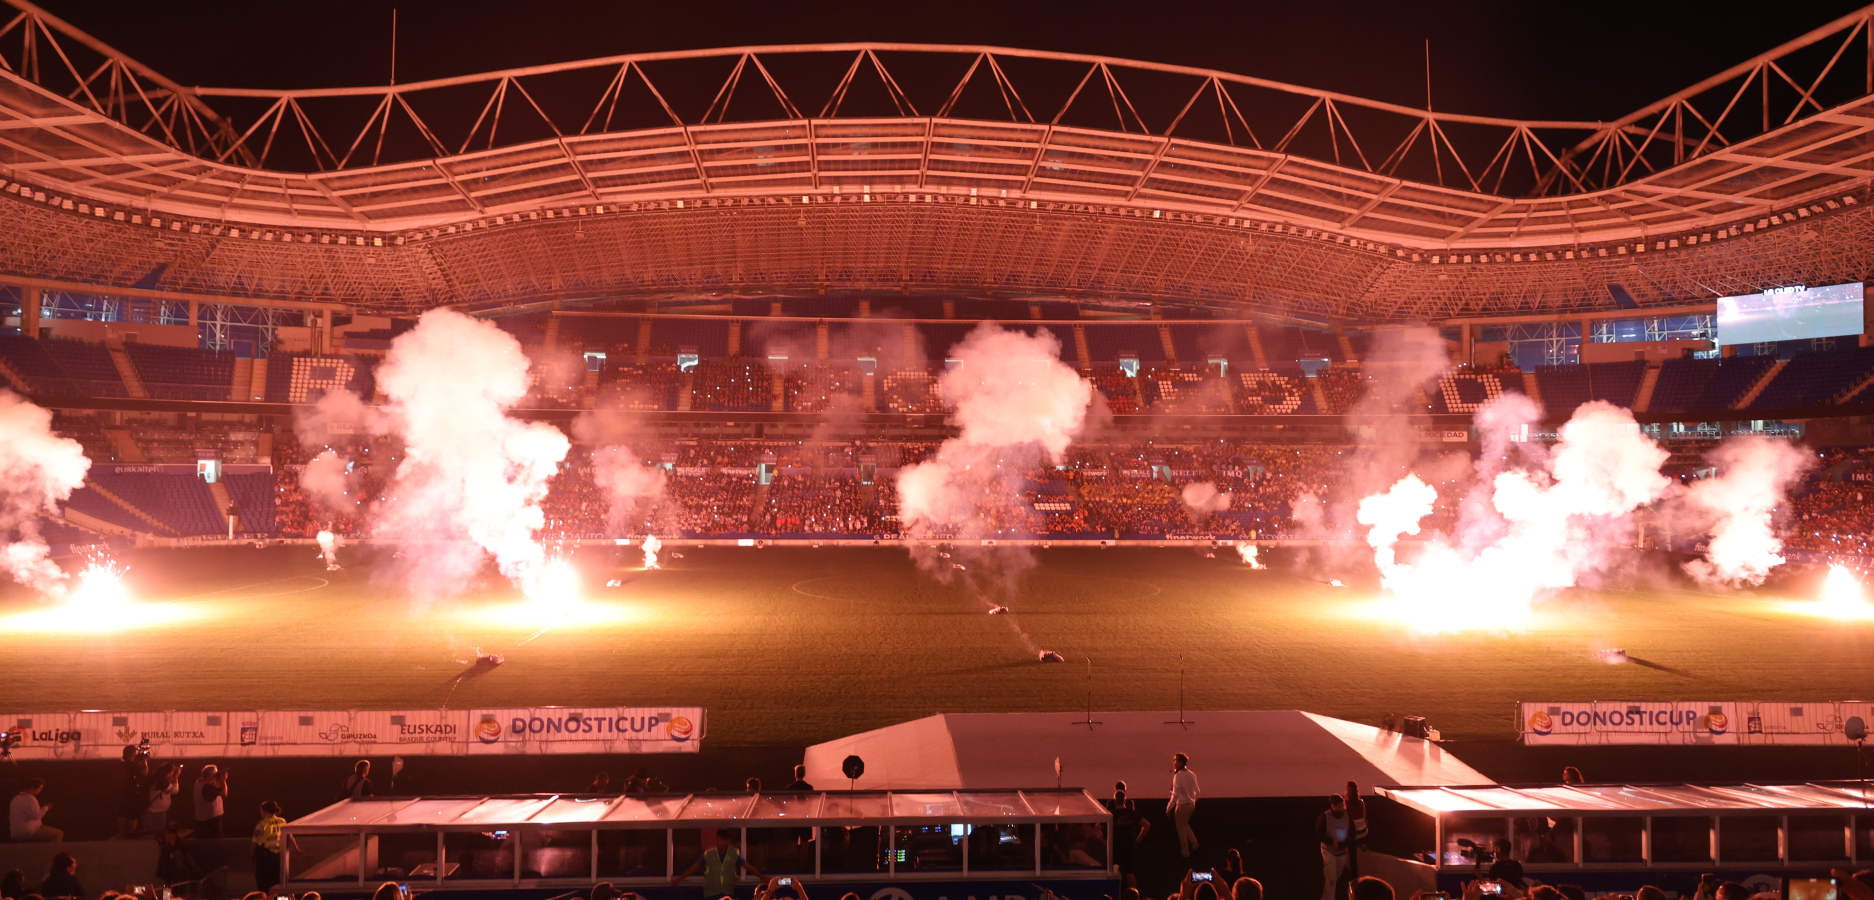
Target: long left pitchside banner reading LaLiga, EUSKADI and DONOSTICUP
359,732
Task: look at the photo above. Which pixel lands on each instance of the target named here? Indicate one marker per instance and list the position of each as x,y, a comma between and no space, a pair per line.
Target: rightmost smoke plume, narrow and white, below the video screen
1738,505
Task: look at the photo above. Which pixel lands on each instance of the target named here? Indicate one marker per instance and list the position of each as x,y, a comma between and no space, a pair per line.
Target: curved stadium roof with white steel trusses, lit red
912,166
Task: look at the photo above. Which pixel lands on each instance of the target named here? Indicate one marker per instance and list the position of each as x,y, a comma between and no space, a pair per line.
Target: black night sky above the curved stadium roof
1496,57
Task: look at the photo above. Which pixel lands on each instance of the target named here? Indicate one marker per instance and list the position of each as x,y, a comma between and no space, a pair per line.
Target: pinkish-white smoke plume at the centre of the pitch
1017,406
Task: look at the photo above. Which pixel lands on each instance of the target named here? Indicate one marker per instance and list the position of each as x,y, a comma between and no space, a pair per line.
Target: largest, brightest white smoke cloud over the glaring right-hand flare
1547,526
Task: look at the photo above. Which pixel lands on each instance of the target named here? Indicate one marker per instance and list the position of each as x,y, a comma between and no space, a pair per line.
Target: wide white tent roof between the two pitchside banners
1268,753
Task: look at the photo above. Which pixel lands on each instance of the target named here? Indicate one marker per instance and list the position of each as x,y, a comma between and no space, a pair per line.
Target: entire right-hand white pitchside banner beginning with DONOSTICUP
1689,723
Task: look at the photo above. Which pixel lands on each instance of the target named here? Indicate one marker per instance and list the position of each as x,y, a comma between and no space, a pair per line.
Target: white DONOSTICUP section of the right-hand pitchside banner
1629,723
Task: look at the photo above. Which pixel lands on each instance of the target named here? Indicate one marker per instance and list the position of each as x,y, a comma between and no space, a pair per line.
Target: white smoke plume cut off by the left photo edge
38,472
